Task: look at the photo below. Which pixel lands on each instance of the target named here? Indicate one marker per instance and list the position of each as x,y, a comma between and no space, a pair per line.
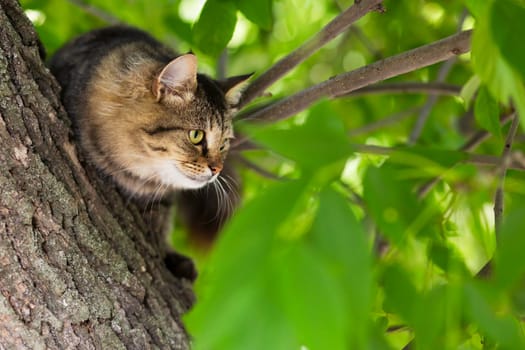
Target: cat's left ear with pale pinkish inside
178,80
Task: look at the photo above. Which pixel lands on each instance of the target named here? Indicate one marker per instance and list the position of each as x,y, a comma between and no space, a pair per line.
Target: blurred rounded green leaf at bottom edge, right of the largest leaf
310,296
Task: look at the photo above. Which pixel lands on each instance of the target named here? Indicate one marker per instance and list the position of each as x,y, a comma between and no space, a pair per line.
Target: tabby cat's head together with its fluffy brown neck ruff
158,126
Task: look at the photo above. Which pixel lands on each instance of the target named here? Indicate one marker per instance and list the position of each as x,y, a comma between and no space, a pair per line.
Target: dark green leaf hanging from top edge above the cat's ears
214,28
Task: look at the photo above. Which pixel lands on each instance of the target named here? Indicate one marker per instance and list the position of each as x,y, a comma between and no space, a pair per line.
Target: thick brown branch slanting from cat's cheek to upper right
390,67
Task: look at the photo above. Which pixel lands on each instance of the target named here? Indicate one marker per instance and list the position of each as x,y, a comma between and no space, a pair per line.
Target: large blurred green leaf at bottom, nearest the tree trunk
240,276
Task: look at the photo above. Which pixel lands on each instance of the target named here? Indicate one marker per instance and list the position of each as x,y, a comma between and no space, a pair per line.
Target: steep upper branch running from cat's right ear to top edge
329,32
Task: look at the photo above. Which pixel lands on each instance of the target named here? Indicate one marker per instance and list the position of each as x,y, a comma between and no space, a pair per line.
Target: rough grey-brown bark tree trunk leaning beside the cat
79,266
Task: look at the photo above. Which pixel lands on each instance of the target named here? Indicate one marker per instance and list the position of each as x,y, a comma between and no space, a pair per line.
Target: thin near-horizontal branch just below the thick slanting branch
437,88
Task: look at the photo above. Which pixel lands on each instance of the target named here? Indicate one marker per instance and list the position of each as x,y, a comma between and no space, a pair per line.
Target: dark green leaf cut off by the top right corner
508,30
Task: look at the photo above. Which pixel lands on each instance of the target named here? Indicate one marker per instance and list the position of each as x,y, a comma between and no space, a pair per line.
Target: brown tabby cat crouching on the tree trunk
141,113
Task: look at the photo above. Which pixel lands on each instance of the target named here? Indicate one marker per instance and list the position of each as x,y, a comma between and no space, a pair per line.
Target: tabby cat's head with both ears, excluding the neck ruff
186,141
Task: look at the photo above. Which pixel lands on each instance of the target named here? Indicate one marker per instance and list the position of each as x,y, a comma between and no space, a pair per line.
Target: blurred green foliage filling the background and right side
344,254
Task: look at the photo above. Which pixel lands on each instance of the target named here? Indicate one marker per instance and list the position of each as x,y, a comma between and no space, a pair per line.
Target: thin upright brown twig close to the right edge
505,163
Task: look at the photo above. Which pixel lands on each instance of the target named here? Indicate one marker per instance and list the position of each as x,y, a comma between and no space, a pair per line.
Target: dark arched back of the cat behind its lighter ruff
73,64
